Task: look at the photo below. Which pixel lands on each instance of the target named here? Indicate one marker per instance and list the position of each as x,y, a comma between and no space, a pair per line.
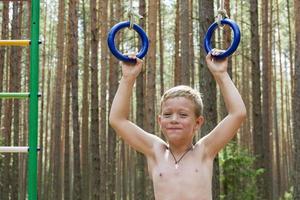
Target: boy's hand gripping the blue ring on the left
131,70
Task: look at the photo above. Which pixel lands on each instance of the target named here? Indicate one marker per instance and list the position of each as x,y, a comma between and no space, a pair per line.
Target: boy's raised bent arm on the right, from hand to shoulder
235,106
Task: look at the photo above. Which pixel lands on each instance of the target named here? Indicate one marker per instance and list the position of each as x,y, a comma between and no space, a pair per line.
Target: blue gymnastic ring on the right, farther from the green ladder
236,39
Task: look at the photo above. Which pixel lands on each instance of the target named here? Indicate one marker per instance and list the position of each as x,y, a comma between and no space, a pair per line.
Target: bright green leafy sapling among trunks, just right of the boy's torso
238,176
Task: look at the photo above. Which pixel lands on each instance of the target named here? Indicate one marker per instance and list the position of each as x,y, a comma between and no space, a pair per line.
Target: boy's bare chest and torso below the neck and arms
189,180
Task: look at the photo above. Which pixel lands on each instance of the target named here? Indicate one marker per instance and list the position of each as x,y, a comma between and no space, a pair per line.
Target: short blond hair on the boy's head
186,92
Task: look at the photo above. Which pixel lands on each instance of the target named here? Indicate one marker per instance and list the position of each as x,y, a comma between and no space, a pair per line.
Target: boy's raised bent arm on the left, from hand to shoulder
118,118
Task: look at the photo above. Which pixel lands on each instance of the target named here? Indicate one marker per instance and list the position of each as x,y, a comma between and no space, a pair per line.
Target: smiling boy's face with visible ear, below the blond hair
177,120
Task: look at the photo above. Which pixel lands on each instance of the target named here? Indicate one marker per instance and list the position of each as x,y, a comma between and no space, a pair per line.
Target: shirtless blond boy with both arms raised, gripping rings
179,170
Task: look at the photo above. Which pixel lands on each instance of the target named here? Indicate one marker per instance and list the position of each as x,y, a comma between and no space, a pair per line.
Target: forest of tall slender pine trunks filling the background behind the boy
81,157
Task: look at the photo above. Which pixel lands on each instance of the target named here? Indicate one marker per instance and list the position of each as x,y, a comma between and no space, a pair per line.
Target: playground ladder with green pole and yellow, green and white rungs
33,94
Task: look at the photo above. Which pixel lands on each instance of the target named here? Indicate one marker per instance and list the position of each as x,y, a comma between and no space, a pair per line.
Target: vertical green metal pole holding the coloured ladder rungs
33,100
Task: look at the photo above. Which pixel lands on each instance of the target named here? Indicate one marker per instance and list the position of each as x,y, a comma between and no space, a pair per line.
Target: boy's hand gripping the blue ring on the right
216,65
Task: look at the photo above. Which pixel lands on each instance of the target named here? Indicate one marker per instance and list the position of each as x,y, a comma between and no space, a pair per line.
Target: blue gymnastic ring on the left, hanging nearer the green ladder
111,41
